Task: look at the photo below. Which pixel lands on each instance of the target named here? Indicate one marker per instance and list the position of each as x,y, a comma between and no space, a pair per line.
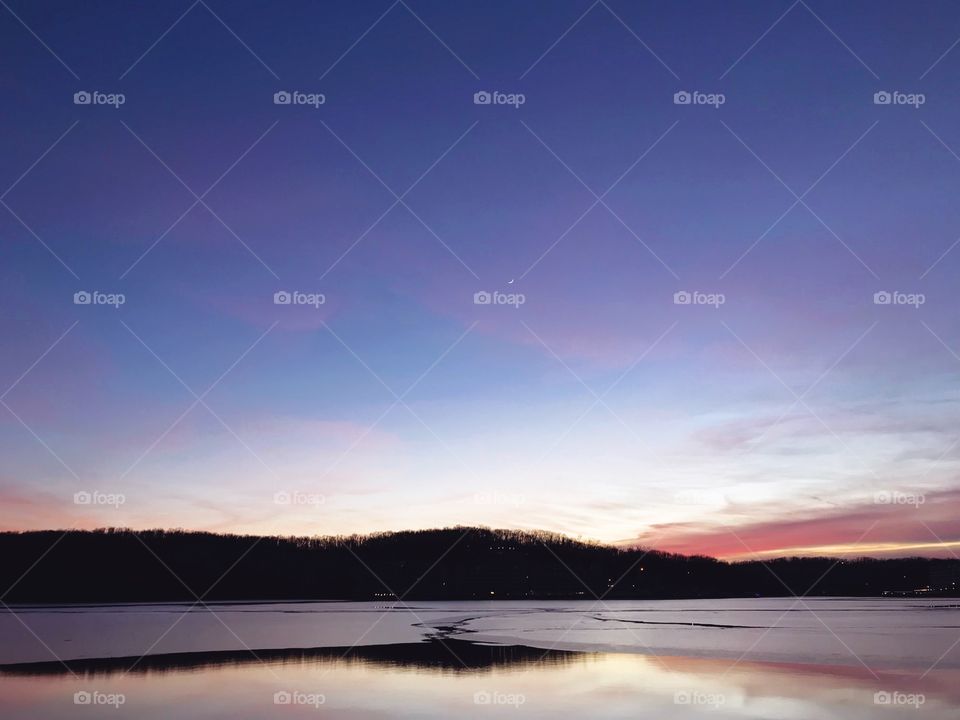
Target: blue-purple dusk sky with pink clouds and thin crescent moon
726,326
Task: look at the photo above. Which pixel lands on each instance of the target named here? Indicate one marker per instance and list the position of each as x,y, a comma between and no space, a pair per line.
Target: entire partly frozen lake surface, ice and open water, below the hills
770,658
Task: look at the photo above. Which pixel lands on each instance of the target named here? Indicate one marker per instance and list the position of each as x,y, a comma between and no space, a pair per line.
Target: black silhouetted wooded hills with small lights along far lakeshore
122,565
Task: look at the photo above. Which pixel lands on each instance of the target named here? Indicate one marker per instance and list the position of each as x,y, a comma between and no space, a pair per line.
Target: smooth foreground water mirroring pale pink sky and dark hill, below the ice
455,678
